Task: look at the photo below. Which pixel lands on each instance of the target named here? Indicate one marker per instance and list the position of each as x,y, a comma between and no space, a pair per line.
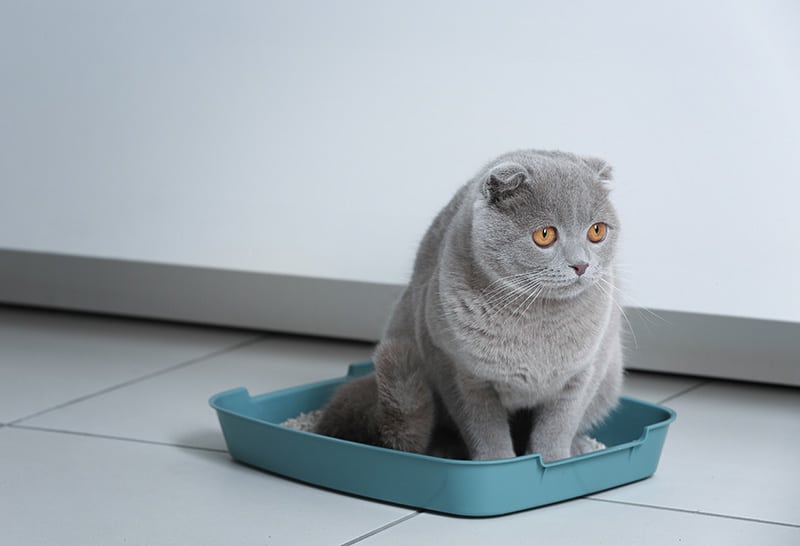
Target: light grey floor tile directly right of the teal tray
733,450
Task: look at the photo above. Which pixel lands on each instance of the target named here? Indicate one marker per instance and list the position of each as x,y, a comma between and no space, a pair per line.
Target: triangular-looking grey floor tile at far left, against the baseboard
47,359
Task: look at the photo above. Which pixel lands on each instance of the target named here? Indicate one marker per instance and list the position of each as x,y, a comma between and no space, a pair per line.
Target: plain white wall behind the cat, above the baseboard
320,138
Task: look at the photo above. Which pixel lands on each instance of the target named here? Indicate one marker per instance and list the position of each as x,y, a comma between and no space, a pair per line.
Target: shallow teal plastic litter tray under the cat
634,434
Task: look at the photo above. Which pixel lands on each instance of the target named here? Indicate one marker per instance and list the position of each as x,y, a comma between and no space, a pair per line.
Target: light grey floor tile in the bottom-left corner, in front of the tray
64,489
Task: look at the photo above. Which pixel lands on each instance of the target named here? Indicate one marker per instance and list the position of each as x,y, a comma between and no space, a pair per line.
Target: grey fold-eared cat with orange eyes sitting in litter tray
509,322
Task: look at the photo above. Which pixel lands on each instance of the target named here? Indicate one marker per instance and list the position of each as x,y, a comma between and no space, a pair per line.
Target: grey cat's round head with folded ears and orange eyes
547,217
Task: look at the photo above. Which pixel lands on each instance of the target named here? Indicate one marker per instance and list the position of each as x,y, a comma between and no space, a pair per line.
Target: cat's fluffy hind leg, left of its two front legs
405,410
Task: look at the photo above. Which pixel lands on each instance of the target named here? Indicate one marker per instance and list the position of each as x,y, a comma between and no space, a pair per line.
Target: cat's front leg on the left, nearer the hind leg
481,419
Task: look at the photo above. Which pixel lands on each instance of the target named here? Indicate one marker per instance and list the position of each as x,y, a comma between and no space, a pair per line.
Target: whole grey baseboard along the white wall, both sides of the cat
663,341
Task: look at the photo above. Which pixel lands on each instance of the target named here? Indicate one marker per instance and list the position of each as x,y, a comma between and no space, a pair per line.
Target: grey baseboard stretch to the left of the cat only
263,301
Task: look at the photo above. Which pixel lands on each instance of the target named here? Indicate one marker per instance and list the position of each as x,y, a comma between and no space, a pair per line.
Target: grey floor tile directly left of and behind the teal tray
173,407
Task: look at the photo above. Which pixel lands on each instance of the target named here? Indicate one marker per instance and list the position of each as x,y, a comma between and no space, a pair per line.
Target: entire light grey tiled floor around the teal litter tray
106,438
